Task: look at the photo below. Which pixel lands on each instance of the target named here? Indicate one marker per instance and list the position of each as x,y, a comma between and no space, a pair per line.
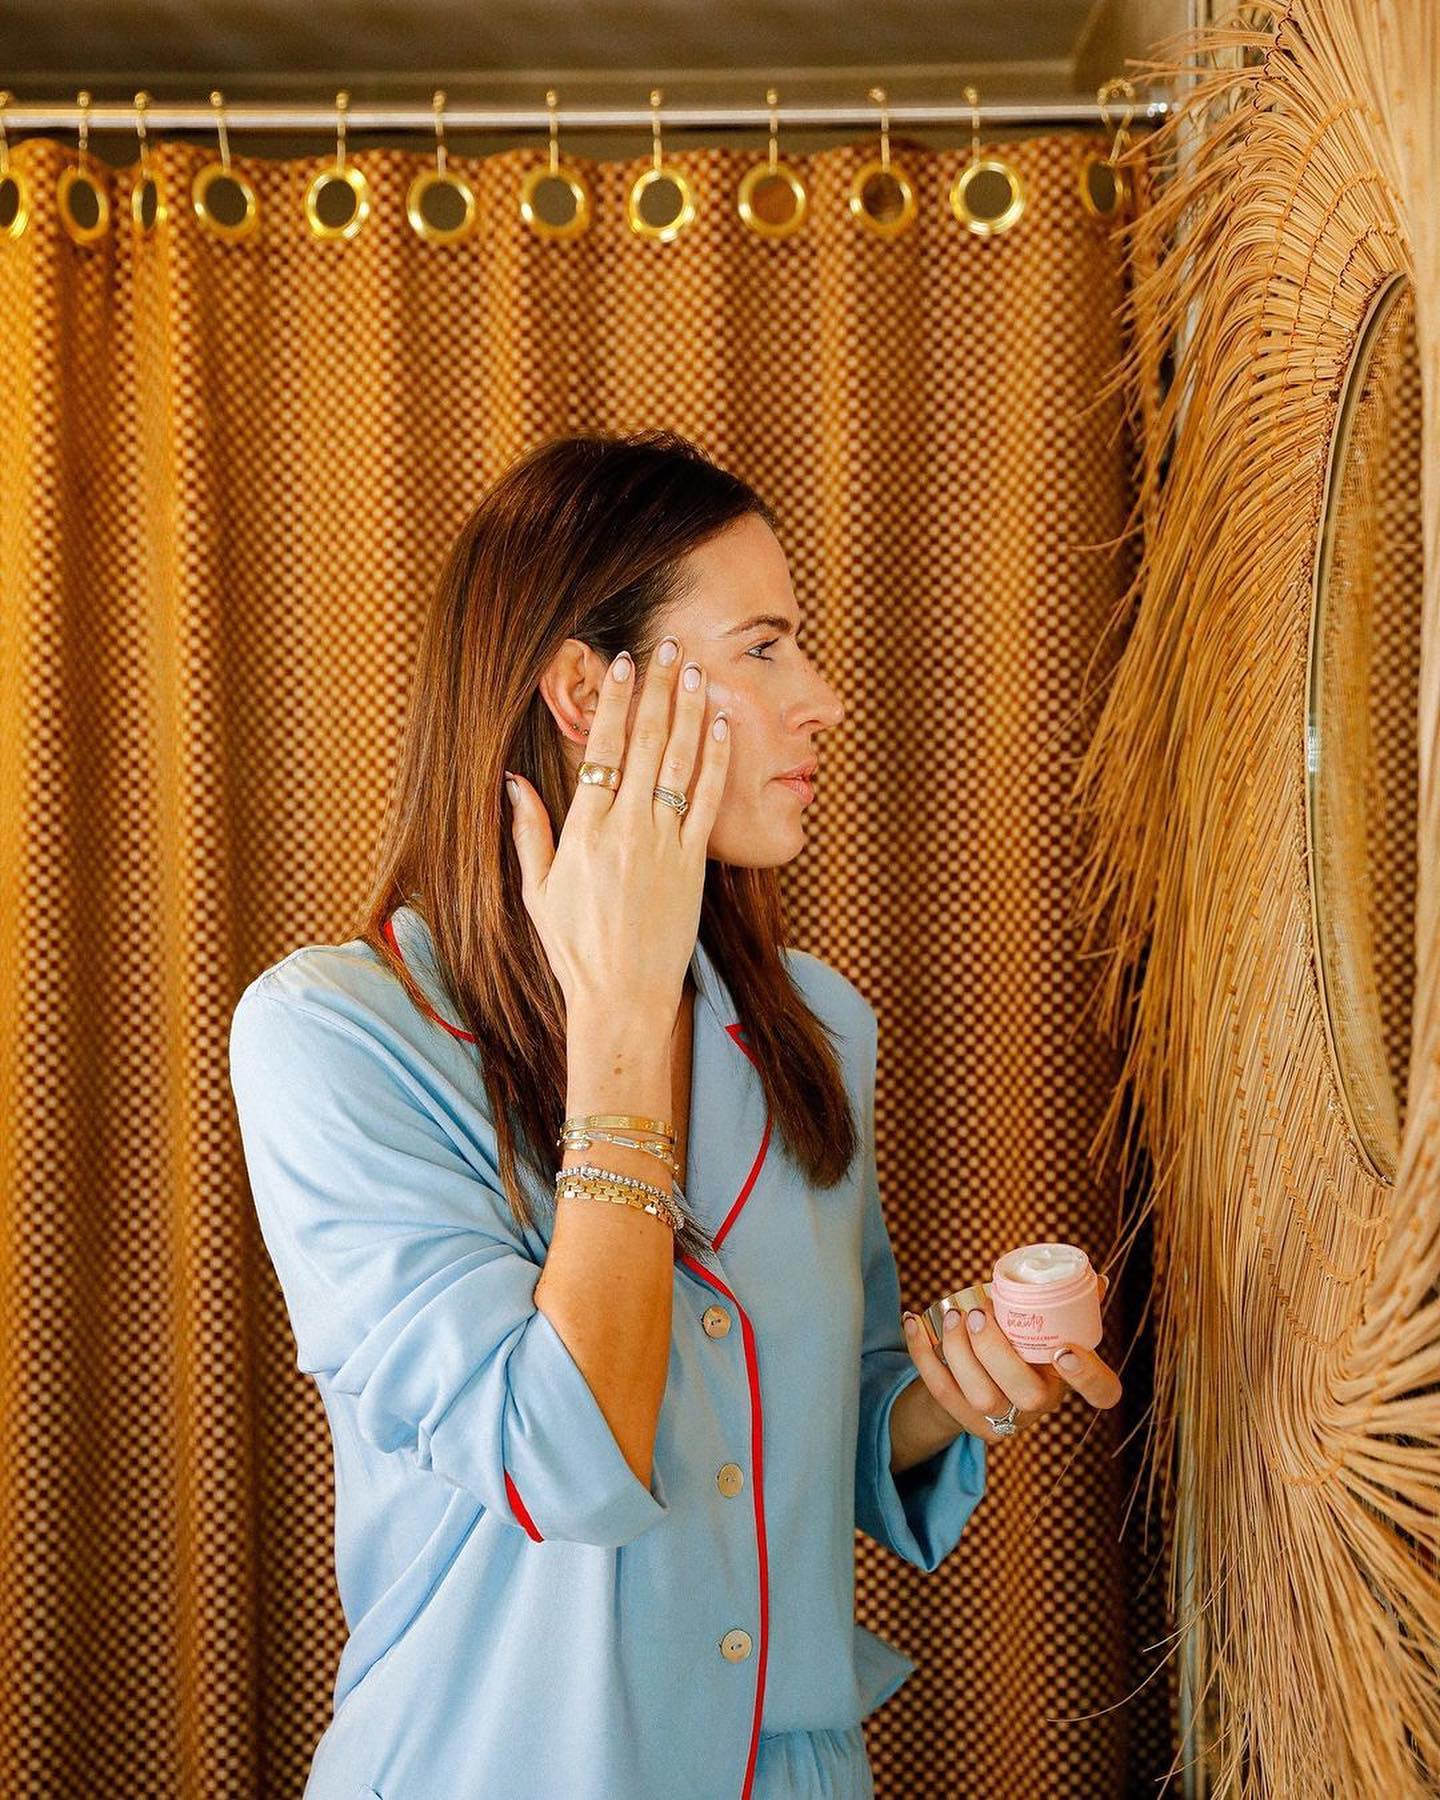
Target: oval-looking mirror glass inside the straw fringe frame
1363,726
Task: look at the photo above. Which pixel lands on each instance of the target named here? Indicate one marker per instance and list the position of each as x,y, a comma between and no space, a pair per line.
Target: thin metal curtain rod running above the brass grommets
251,116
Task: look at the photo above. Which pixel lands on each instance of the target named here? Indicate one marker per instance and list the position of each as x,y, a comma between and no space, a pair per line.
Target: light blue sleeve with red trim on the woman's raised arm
409,1284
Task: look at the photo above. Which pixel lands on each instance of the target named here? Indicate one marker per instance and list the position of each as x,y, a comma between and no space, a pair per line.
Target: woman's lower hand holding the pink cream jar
984,1372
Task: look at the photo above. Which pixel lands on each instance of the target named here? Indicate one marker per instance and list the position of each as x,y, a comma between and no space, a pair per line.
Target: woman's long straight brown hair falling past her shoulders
584,537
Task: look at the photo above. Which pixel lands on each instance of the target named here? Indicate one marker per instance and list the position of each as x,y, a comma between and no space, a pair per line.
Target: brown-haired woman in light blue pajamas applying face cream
598,1466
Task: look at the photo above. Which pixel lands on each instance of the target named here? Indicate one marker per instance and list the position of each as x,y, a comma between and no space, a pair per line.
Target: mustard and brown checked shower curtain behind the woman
229,478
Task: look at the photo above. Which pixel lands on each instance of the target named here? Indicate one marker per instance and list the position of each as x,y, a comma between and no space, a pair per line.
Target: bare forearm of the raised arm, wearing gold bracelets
609,1272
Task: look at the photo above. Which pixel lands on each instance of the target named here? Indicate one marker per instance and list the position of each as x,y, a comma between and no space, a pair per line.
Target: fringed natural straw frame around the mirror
1297,1317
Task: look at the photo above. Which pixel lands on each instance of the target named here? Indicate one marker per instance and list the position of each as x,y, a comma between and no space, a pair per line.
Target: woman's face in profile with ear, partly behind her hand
739,622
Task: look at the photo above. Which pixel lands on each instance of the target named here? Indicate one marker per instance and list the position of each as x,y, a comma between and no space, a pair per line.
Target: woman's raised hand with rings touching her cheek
618,901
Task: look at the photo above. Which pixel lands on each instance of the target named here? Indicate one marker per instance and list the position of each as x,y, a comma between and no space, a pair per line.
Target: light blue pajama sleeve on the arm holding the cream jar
922,1511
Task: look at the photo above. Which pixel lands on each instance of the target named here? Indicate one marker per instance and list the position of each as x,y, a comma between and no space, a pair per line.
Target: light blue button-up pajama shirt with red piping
525,1615
